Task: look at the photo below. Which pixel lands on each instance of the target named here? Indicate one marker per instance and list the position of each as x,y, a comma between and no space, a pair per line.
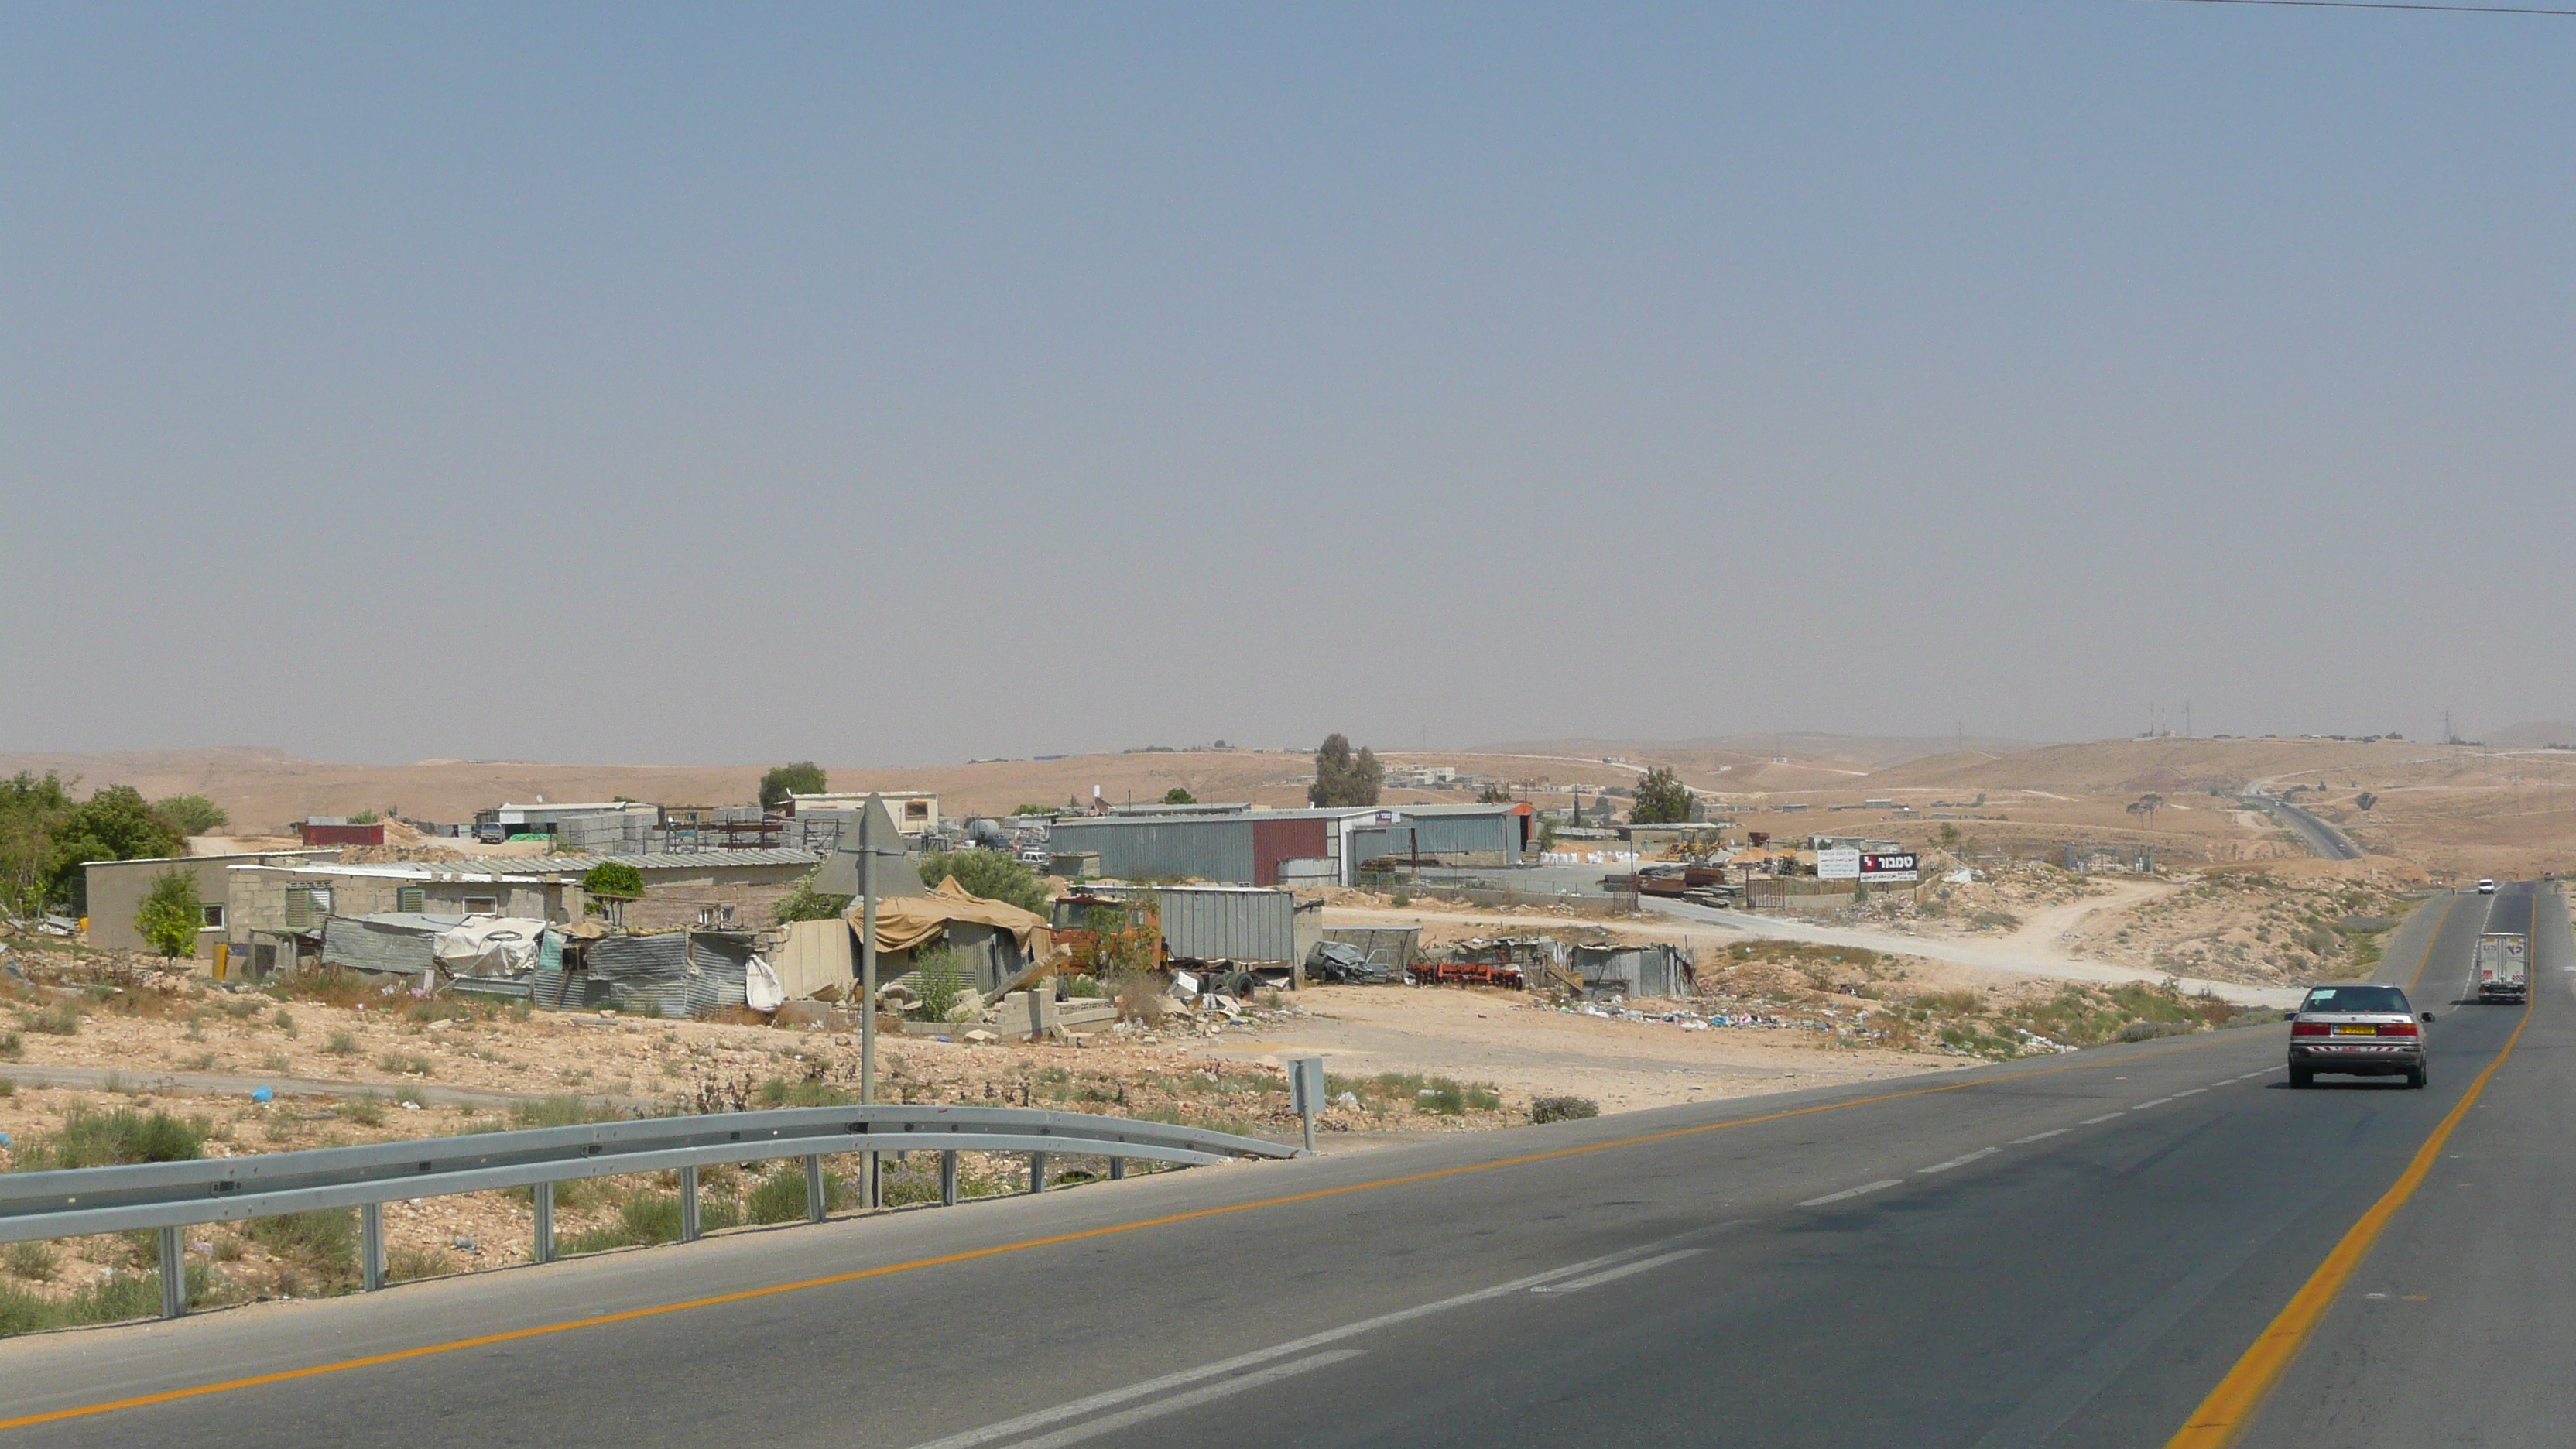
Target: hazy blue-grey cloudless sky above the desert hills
926,383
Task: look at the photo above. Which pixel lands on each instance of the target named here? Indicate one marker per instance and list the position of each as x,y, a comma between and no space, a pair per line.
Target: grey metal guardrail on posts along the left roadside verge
267,1185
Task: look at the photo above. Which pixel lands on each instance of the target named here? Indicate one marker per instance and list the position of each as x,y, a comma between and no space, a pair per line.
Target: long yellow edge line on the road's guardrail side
972,1254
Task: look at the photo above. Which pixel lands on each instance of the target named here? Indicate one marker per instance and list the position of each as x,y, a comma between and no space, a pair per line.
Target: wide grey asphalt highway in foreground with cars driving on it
2065,1252
